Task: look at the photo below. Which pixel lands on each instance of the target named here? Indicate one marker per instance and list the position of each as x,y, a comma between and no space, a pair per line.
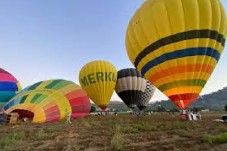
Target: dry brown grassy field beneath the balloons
123,132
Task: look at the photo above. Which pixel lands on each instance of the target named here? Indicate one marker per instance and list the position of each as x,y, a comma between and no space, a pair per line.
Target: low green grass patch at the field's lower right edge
215,139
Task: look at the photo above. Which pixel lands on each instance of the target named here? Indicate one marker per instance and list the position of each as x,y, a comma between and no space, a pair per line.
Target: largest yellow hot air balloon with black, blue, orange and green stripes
176,45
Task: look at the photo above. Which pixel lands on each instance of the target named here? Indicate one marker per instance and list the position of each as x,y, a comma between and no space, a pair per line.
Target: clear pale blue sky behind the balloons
54,39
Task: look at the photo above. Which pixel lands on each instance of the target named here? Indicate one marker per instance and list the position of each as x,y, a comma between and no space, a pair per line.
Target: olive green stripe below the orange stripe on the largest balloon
182,83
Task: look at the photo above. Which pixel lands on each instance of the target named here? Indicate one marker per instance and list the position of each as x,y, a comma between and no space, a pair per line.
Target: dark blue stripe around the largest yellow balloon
180,54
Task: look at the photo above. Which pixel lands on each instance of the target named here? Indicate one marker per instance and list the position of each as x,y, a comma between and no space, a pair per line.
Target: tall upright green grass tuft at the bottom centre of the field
117,141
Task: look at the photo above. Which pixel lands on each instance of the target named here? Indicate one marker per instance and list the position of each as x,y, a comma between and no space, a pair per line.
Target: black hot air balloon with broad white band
130,85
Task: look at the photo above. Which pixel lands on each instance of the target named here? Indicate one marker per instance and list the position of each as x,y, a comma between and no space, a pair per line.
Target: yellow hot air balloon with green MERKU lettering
98,79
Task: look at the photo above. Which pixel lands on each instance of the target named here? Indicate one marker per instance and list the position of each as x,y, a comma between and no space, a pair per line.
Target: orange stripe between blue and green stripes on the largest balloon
182,69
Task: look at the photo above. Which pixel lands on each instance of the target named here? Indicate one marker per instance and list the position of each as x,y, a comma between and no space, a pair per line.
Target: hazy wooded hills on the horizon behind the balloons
214,101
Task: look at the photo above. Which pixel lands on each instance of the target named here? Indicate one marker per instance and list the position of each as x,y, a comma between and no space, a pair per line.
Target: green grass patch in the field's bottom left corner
11,140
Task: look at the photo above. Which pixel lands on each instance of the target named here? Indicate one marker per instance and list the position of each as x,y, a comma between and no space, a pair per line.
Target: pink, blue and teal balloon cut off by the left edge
9,86
